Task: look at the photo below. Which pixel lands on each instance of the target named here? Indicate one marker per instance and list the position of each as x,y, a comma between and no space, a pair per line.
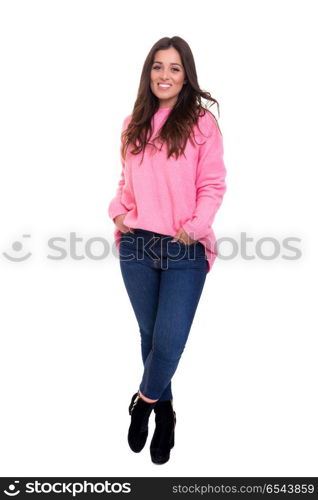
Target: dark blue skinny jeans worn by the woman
164,281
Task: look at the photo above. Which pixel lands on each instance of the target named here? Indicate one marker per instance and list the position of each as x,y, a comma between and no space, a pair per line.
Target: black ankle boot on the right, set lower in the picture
163,438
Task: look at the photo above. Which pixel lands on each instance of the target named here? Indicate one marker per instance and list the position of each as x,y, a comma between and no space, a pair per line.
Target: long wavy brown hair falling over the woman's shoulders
185,112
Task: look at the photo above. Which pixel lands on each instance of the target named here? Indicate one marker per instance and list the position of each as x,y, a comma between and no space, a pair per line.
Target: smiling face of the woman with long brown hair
167,69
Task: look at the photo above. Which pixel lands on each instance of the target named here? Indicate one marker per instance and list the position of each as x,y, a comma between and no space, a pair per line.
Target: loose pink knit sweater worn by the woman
163,194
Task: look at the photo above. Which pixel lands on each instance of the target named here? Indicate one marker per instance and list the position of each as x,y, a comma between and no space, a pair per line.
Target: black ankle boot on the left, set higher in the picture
140,411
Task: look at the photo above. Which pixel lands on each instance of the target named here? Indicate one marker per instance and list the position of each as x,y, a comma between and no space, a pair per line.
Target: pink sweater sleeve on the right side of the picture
210,181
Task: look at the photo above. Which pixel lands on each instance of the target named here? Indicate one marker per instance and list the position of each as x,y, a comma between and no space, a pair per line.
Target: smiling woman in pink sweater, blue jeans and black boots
172,184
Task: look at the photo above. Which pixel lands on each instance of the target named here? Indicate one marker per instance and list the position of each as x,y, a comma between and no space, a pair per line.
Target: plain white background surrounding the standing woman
245,391
